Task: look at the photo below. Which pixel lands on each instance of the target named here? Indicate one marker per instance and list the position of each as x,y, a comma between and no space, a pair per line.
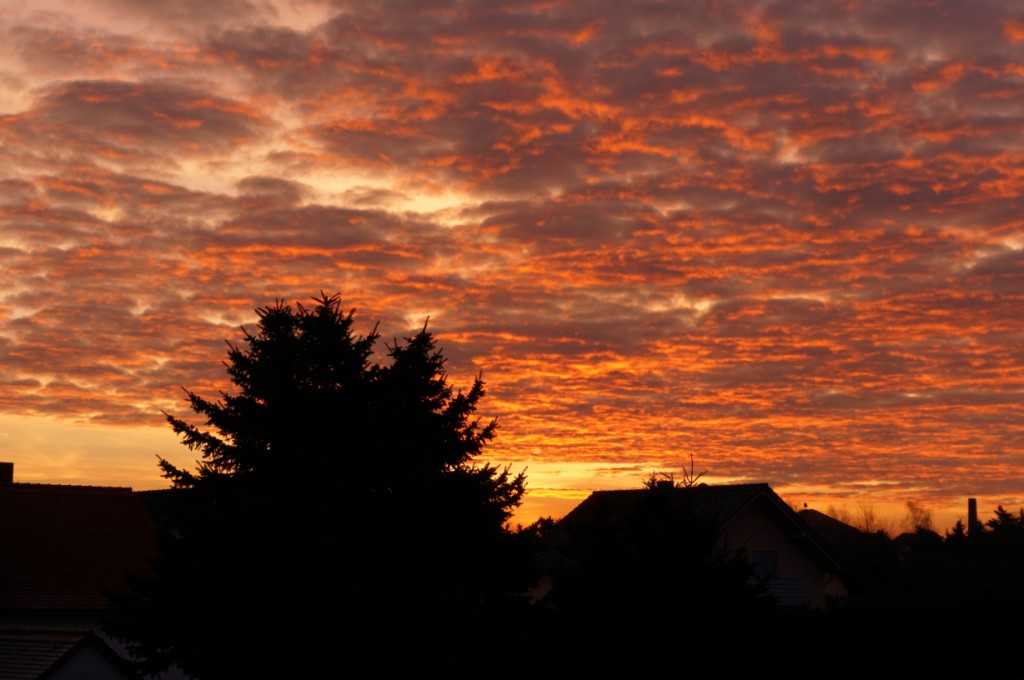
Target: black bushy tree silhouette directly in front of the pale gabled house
646,579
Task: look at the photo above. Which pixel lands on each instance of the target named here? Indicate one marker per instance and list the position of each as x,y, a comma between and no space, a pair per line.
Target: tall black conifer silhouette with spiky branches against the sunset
337,513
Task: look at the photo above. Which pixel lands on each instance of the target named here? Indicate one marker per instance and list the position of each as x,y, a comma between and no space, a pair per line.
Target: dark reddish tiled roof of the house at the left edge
65,546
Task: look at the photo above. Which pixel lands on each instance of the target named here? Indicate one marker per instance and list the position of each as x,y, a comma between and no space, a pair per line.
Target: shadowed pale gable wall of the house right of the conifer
758,529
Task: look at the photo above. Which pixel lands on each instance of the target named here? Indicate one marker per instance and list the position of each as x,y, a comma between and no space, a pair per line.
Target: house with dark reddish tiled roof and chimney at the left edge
63,549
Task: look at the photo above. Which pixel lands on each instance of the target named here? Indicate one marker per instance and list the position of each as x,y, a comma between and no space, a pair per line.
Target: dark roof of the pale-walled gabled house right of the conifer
720,502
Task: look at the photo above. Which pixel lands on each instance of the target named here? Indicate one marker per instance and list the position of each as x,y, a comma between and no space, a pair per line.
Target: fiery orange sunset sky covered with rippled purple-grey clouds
783,240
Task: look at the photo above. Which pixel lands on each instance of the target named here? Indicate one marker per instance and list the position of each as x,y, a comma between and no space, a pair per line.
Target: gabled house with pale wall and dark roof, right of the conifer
798,567
